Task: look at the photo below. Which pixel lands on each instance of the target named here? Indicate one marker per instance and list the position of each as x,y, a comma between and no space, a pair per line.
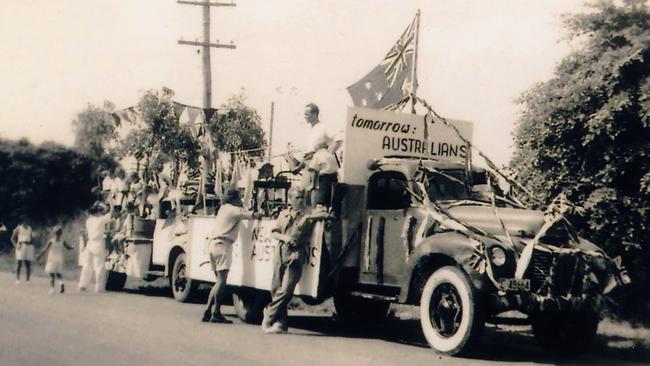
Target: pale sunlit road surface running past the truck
143,327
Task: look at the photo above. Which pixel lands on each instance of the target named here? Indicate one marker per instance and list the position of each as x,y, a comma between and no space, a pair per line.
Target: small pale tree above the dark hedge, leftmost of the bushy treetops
95,129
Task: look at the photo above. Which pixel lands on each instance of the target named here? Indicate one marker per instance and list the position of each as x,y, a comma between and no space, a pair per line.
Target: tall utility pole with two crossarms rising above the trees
205,46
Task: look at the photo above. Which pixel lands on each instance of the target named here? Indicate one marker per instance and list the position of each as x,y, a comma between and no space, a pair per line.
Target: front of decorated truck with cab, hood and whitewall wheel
458,257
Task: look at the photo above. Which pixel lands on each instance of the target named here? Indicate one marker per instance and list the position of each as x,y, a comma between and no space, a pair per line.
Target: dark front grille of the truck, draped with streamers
555,274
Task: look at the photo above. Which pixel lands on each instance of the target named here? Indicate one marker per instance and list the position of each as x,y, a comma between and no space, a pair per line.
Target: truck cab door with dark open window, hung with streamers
383,256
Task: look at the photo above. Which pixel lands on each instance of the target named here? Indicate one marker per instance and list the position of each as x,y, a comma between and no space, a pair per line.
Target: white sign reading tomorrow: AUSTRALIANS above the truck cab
373,134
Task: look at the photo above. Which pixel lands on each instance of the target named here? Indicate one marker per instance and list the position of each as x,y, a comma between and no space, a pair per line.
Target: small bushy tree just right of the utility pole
237,127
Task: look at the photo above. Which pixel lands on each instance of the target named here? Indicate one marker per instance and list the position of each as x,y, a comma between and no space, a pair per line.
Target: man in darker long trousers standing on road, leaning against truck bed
293,229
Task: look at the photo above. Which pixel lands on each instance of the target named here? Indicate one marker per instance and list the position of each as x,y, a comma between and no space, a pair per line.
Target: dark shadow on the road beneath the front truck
497,344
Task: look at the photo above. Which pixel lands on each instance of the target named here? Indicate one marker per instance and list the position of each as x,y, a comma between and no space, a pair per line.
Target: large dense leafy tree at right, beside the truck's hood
586,132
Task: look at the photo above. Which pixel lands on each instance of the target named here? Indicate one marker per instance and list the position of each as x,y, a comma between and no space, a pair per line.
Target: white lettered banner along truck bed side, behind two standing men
253,255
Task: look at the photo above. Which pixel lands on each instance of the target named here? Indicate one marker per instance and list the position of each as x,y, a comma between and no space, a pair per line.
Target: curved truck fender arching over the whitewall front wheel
448,248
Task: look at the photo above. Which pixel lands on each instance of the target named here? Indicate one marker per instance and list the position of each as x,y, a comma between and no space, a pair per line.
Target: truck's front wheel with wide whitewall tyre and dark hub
449,312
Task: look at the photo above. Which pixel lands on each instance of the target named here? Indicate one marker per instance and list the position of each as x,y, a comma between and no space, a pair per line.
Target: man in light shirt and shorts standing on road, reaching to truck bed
220,248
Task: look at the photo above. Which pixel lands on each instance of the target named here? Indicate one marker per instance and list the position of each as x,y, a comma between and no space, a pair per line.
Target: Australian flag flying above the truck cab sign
390,82
